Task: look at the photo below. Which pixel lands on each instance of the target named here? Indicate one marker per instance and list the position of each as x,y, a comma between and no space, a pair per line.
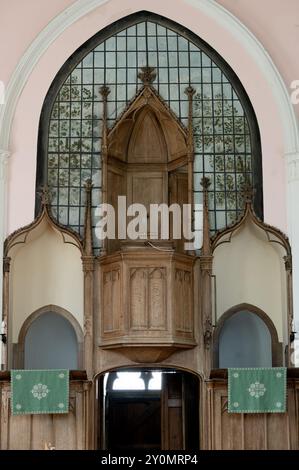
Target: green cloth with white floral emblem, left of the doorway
39,391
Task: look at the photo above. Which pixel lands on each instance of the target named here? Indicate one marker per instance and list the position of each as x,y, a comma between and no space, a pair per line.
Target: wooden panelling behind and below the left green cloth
71,431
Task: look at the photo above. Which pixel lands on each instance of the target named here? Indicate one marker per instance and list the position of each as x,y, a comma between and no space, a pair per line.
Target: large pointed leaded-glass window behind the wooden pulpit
226,135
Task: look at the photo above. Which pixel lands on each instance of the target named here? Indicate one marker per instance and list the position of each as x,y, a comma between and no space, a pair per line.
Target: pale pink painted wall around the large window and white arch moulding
274,22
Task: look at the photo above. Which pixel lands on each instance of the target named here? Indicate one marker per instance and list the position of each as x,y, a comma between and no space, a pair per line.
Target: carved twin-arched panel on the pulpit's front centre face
147,302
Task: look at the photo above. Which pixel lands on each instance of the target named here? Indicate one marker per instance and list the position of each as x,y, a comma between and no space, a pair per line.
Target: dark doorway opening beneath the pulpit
156,409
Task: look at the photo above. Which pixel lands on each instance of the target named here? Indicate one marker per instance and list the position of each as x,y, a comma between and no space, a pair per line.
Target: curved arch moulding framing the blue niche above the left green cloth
19,353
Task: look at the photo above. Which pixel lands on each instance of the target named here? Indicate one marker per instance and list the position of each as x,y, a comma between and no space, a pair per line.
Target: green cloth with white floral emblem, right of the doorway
257,390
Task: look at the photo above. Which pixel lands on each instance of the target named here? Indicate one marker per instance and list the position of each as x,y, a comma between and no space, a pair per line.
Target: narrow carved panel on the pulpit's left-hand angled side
111,300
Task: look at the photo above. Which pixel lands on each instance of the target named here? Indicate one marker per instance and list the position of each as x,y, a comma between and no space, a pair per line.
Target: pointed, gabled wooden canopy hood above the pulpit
147,130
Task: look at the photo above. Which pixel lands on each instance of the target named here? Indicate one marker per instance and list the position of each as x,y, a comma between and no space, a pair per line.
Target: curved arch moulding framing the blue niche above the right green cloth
276,346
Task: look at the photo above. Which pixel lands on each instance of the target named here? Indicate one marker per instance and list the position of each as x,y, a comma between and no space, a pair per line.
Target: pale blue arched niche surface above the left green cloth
51,343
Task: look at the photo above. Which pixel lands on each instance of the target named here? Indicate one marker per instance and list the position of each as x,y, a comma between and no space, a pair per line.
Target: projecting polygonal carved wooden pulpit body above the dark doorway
147,303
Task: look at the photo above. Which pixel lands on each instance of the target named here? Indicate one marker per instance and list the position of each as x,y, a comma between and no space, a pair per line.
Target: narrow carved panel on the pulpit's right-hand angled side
183,301
